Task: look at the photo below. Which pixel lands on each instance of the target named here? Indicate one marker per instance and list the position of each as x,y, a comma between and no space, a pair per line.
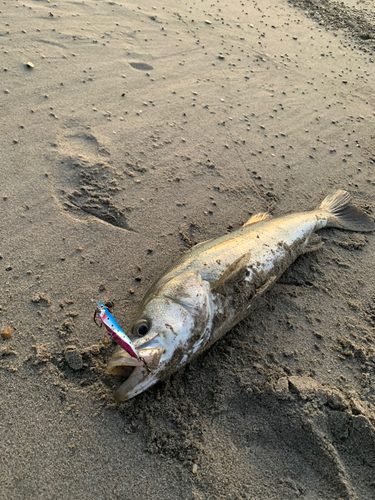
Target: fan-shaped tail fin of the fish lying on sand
341,213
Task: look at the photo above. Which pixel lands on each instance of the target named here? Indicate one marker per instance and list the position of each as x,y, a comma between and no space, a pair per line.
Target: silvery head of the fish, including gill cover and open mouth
173,324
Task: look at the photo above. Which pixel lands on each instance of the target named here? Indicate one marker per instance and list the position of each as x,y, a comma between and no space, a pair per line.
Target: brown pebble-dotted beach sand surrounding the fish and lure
136,132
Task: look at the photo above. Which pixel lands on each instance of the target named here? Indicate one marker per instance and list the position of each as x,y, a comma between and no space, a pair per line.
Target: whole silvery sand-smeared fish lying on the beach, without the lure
216,284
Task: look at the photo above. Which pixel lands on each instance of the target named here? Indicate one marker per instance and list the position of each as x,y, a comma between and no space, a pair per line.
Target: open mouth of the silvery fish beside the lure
140,374
